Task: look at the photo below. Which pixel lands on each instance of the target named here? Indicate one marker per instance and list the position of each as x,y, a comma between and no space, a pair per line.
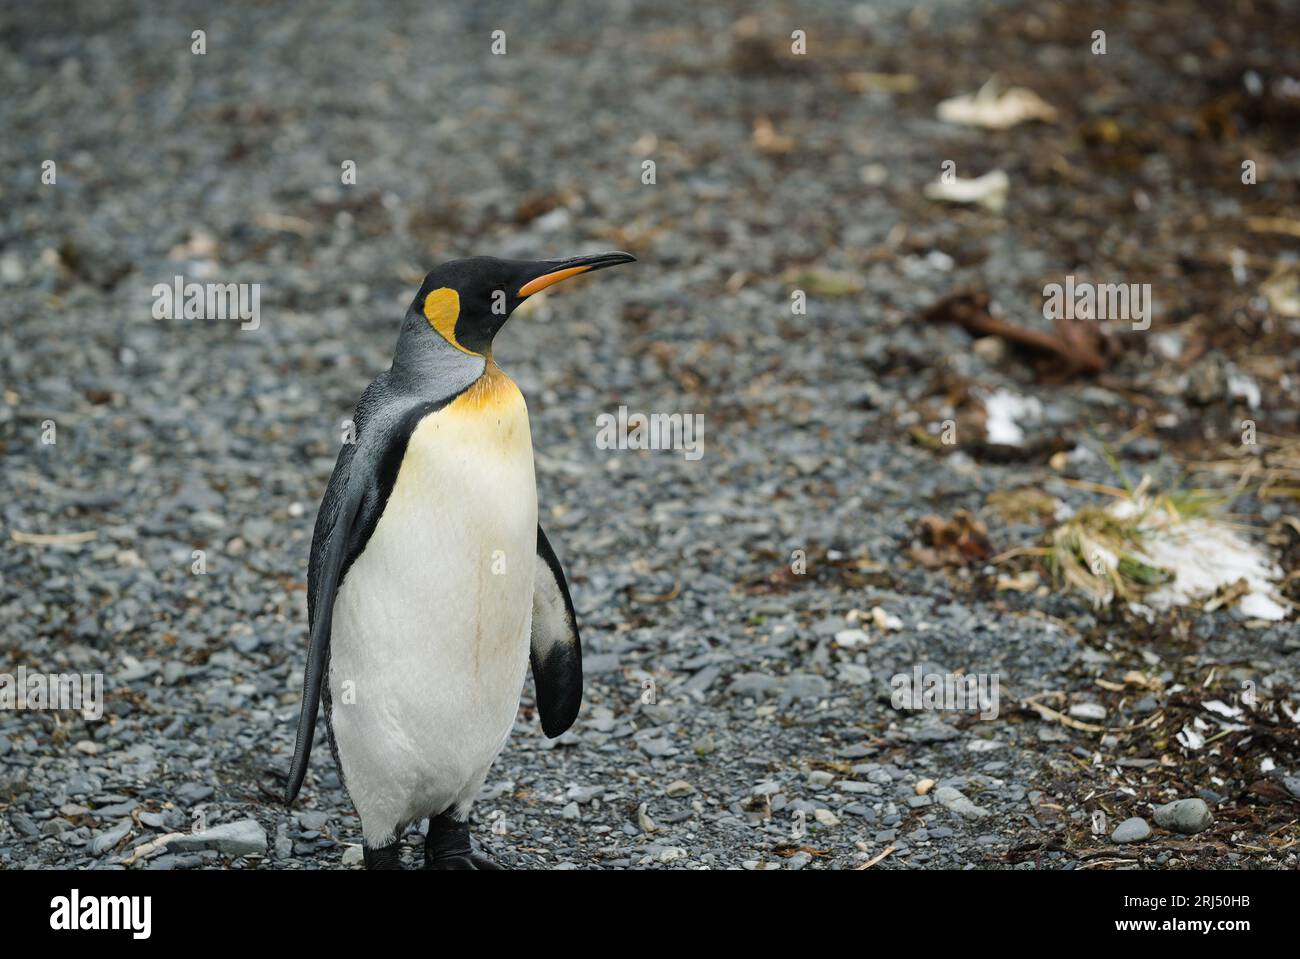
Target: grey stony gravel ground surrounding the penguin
738,714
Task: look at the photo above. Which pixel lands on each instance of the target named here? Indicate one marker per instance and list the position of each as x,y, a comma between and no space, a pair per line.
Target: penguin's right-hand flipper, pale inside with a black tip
557,653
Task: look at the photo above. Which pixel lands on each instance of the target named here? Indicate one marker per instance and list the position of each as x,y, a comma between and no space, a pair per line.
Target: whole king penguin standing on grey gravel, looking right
432,587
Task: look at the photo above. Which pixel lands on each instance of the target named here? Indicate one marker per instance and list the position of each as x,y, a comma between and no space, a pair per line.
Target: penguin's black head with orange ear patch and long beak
467,302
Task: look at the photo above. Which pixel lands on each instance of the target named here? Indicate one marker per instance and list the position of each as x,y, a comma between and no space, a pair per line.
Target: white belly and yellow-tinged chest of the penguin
432,623
